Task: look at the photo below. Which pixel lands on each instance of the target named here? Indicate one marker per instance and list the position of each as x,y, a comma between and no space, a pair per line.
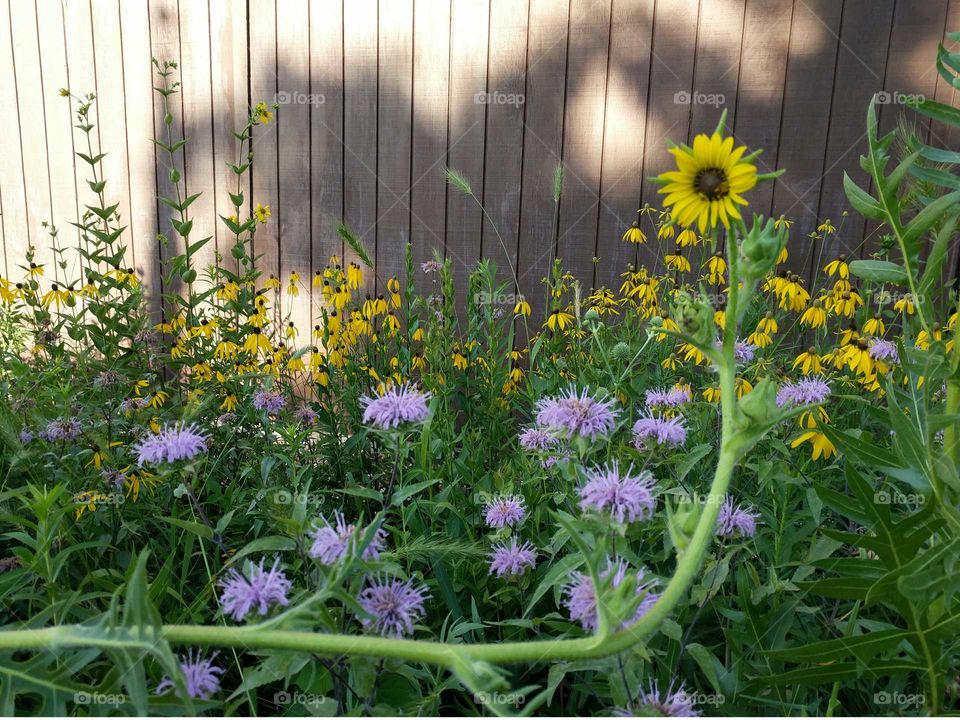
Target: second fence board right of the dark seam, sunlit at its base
293,125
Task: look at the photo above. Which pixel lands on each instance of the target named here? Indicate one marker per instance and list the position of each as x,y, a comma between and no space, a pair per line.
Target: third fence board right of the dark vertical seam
326,137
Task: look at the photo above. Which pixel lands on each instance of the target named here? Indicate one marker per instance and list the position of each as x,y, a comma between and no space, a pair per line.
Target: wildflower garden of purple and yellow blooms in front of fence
714,489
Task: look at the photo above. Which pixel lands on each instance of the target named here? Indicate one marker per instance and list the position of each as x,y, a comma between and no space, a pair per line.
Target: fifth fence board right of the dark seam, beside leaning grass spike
394,111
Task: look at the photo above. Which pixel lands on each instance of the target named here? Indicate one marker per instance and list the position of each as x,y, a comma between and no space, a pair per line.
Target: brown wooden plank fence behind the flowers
377,98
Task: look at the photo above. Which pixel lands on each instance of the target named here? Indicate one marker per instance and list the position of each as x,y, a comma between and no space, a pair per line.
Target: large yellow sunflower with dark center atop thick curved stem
709,182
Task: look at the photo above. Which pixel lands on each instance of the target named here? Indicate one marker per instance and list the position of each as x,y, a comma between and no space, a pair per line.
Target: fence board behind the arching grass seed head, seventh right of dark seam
468,76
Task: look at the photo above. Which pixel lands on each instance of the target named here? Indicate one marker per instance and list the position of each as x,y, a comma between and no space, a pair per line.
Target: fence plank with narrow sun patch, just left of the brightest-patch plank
583,135
